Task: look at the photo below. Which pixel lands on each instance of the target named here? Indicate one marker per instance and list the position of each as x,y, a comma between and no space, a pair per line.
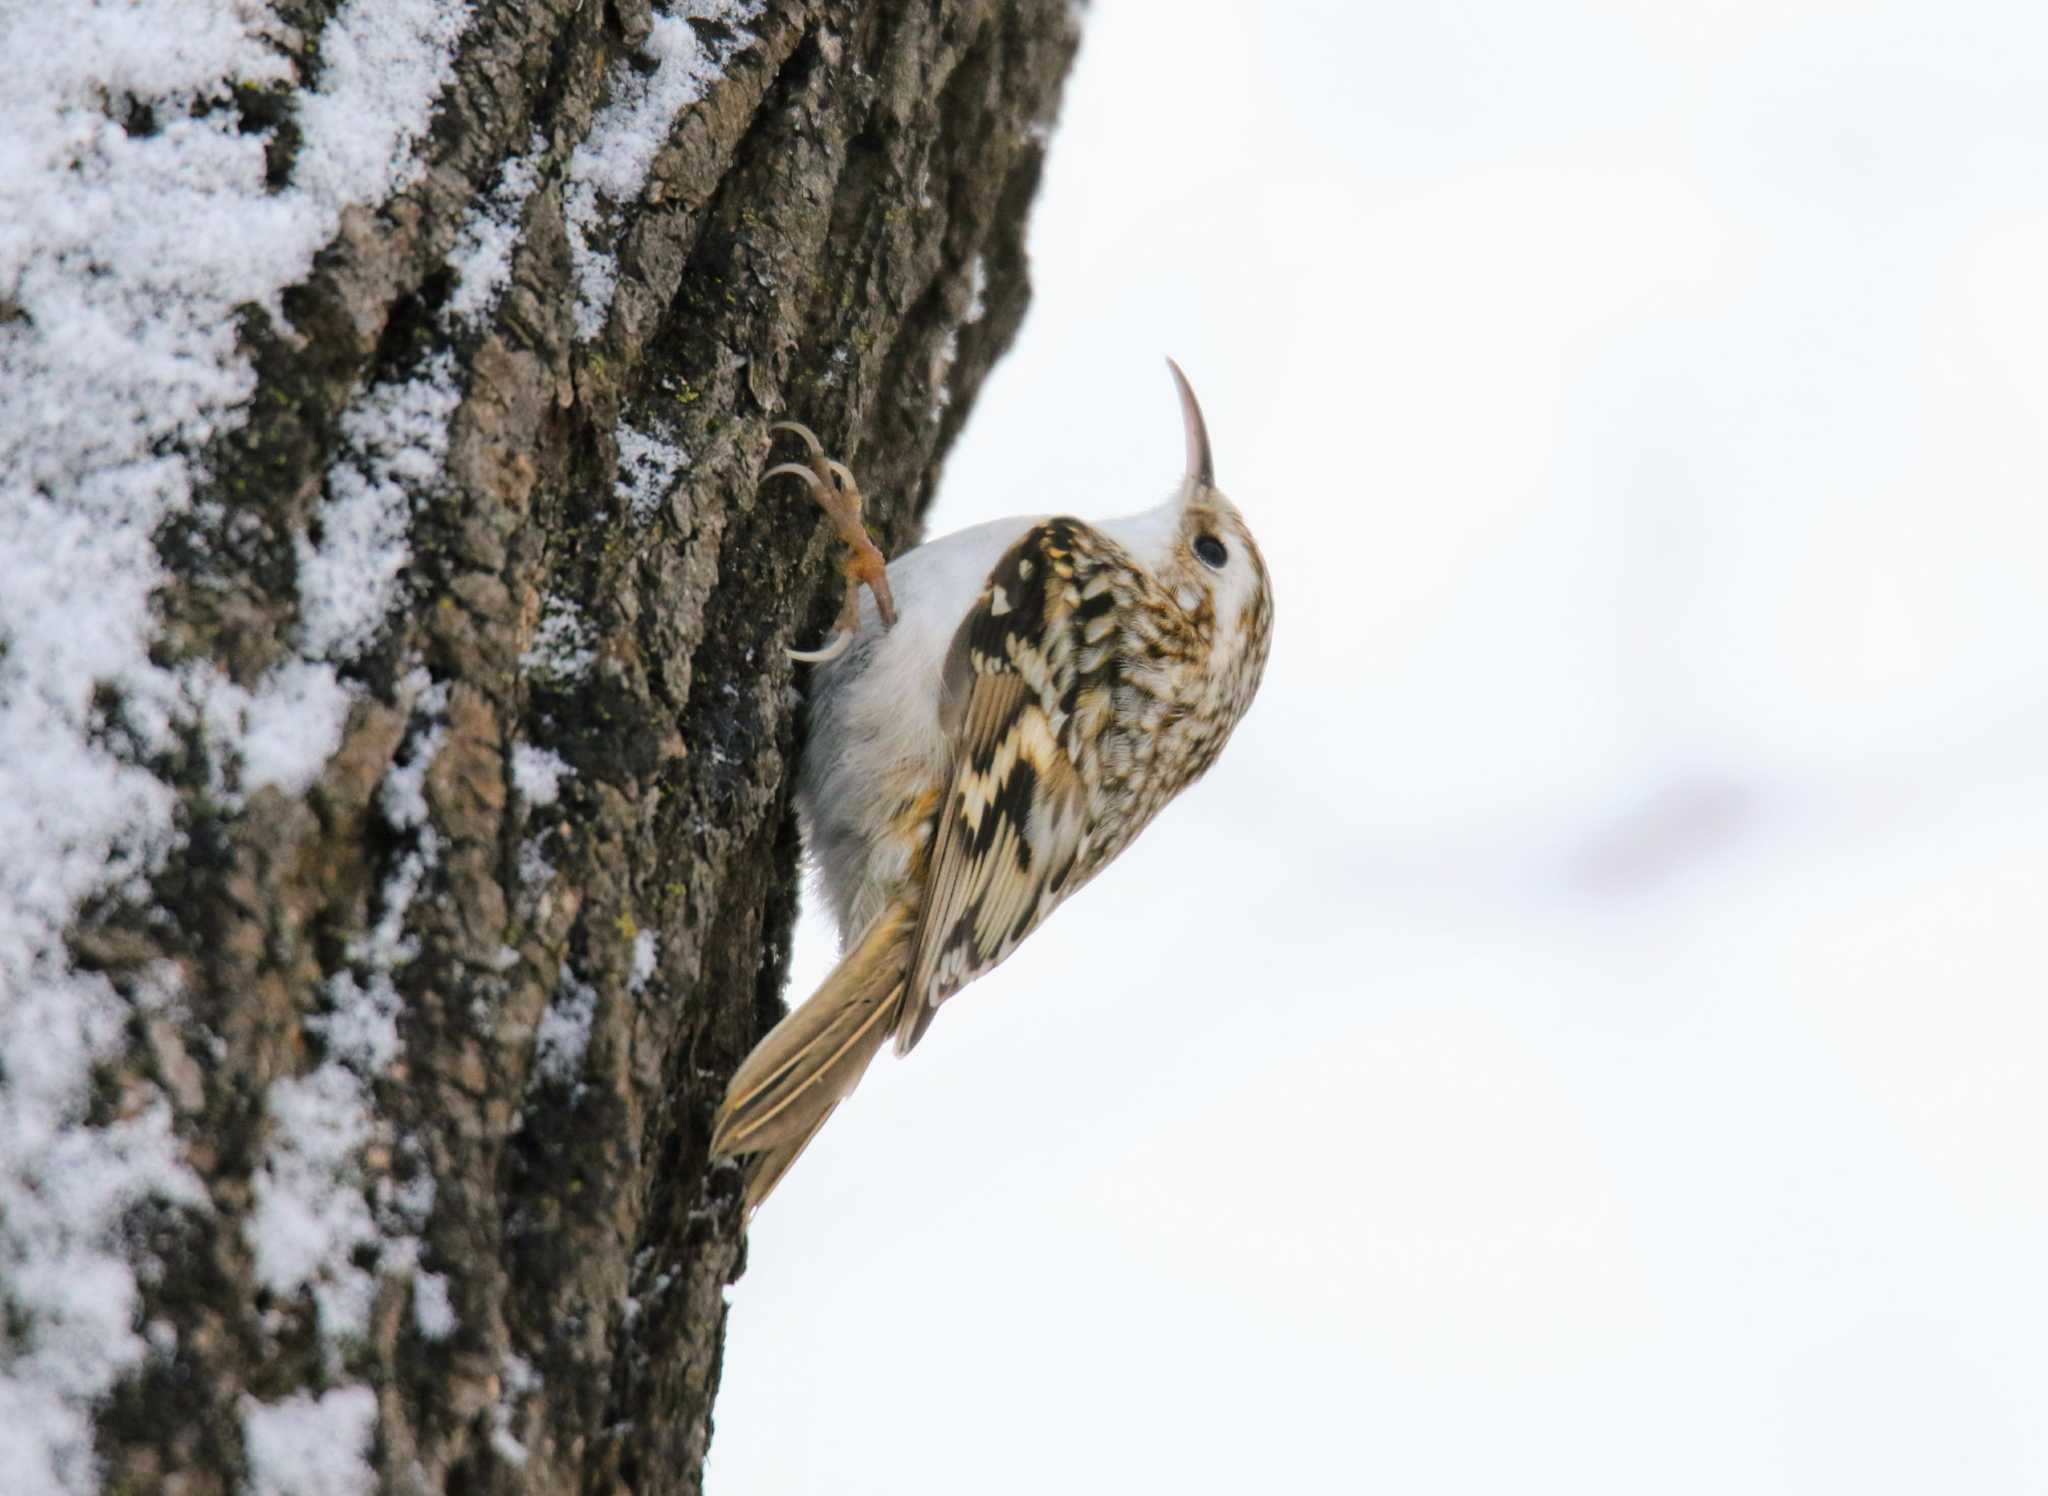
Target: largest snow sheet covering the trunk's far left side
124,259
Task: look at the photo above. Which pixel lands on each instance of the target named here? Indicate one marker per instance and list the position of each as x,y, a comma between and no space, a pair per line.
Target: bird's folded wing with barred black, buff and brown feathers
1013,823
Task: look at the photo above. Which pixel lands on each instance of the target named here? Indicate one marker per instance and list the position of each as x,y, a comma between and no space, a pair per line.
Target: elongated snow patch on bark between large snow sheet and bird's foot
396,446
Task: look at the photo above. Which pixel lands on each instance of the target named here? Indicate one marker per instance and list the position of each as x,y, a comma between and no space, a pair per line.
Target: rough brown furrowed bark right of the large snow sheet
538,903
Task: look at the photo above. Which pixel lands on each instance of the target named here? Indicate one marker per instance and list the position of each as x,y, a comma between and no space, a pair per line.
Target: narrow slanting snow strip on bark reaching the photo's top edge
609,167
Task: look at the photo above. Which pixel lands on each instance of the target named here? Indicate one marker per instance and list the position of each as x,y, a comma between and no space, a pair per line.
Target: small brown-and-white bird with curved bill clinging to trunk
996,716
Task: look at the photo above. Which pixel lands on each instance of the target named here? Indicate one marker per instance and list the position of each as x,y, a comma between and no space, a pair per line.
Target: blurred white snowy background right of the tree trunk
1588,1034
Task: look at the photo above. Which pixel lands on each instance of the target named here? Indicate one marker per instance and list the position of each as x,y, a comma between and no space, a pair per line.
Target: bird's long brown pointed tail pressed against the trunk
810,1063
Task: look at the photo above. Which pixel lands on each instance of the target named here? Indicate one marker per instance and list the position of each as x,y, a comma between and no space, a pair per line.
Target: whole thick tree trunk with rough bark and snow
425,864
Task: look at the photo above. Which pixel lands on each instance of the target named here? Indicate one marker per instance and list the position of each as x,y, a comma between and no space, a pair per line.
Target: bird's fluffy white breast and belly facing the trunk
876,718
